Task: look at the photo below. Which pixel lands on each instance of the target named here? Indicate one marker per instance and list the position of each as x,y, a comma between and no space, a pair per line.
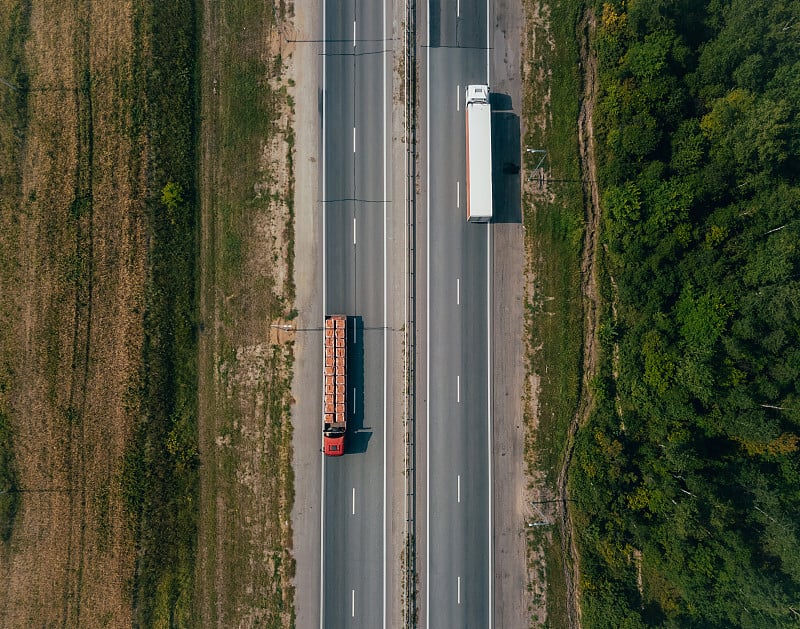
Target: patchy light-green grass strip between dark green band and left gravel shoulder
245,566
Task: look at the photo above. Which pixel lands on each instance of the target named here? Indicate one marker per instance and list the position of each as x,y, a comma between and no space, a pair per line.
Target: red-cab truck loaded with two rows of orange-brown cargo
334,382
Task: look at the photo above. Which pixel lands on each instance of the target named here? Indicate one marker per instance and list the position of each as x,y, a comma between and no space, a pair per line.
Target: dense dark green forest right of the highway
686,479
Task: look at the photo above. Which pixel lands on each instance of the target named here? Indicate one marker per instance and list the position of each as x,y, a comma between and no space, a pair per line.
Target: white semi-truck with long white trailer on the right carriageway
479,154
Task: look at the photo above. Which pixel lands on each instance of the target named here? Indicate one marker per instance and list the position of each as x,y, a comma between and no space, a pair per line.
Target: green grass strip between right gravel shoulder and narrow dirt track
554,222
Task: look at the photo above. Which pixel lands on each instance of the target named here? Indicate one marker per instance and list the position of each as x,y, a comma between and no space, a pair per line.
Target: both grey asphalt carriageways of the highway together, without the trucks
357,217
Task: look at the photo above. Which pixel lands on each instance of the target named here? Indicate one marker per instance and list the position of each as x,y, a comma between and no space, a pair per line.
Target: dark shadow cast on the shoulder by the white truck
506,183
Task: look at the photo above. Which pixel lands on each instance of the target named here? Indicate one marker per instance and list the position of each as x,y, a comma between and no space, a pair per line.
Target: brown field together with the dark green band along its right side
98,329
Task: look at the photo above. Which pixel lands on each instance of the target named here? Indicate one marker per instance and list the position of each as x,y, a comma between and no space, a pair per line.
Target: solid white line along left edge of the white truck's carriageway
428,325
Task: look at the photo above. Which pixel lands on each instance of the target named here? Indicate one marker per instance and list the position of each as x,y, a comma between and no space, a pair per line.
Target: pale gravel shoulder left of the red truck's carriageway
307,460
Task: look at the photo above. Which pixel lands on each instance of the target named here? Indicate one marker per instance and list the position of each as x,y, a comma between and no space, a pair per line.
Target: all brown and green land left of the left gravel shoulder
112,513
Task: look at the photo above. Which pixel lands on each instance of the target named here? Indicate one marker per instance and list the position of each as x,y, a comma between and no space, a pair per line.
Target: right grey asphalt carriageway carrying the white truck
458,528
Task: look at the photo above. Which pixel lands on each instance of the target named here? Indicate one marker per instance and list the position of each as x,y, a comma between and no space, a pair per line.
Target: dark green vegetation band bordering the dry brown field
160,478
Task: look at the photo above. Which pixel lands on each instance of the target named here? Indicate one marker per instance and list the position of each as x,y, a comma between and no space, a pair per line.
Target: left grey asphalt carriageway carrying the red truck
356,143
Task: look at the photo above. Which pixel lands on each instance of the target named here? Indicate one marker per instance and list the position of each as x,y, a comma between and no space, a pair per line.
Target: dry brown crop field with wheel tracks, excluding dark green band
76,230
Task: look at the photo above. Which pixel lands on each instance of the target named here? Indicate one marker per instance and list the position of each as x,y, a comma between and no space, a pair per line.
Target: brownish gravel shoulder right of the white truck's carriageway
512,597
